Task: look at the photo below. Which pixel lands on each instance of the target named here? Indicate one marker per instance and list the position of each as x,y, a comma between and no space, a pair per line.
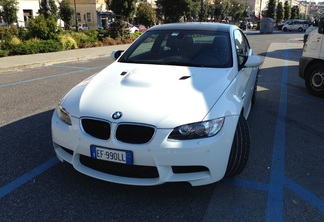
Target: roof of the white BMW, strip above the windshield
206,26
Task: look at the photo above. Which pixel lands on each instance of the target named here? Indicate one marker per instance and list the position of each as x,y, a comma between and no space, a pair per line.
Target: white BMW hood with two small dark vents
163,96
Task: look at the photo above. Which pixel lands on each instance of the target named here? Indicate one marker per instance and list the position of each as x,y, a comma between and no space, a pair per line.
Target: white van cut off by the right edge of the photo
311,64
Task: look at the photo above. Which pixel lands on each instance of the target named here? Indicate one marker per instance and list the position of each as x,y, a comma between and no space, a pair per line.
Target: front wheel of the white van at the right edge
314,80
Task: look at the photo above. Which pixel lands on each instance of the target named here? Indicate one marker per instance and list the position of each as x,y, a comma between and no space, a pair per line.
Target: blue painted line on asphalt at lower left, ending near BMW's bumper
27,177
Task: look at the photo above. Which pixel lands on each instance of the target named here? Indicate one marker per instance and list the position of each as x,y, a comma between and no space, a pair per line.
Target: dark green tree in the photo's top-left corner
9,11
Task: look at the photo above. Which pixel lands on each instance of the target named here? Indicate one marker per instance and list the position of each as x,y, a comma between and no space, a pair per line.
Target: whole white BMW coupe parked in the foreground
173,107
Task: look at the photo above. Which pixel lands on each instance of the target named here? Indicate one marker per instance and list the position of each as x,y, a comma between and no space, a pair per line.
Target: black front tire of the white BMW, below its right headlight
240,149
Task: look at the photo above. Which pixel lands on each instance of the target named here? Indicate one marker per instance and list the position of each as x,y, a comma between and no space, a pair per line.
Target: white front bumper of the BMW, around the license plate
199,162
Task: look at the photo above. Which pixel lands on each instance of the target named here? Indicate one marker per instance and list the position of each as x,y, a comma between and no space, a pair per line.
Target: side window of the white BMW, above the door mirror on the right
242,46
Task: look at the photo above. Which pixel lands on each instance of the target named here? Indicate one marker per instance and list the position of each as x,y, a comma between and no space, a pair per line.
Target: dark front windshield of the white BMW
185,48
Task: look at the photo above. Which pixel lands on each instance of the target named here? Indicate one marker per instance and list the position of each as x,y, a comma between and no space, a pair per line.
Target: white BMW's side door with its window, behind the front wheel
246,77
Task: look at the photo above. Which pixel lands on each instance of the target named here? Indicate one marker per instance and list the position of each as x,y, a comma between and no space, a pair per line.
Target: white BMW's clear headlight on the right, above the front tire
197,130
